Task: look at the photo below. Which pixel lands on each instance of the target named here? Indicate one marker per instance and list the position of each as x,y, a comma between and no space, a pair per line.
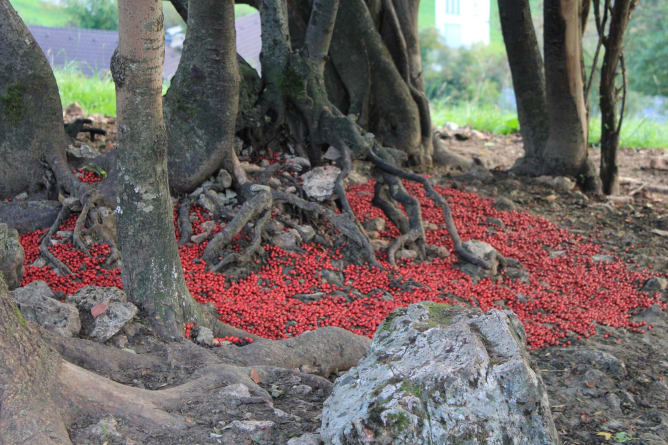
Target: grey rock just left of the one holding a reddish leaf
37,303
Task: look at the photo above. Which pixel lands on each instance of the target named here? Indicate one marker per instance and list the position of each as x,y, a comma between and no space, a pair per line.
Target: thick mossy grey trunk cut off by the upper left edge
31,117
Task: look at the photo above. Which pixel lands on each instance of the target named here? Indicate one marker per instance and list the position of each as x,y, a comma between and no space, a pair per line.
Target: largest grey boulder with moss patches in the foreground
438,374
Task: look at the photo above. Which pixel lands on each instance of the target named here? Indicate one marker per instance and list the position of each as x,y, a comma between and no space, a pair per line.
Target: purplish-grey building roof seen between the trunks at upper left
91,49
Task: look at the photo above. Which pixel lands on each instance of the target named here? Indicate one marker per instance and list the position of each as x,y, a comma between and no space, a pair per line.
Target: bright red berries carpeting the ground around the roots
563,300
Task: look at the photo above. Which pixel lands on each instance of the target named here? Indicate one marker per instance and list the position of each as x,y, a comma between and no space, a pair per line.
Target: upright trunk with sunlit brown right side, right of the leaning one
566,147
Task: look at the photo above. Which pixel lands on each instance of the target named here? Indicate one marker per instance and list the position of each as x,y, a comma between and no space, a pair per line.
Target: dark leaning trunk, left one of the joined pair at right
528,73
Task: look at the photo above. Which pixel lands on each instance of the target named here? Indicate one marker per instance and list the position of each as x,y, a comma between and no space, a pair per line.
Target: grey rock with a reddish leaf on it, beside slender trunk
104,310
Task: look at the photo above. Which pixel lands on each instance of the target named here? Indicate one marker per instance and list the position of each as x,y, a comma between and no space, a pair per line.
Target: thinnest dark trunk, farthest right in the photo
610,126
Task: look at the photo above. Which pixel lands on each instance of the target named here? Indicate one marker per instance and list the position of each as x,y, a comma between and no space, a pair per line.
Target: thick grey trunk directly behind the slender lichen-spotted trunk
200,108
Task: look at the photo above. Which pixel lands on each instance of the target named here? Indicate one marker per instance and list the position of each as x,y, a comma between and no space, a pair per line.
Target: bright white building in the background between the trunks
463,22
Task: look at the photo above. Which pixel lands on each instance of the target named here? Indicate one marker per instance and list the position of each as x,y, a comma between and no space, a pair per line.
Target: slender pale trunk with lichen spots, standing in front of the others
151,268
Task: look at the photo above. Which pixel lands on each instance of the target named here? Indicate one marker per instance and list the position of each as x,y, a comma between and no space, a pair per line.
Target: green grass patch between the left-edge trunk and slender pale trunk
95,94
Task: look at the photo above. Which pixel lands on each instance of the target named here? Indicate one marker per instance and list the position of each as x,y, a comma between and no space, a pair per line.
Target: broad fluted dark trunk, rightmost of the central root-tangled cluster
364,78
